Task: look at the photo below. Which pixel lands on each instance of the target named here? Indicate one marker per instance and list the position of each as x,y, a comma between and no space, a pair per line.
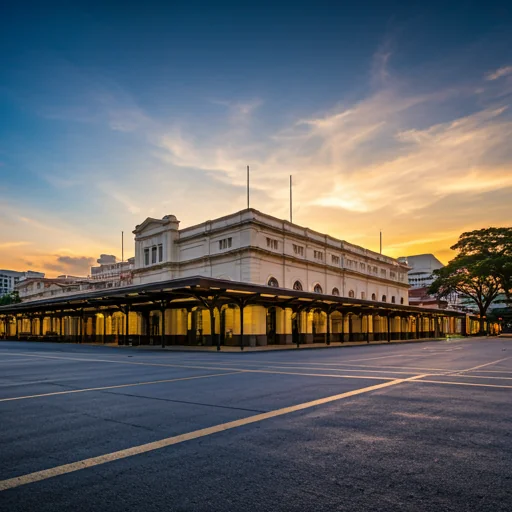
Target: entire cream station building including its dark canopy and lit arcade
246,279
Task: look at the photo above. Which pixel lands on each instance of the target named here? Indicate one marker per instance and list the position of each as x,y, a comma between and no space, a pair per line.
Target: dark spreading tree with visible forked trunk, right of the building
468,276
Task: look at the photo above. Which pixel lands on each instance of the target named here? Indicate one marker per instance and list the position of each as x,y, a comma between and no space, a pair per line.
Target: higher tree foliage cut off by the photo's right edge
493,247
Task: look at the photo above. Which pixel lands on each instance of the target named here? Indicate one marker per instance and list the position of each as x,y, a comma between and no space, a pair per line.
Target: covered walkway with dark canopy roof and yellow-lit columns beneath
207,311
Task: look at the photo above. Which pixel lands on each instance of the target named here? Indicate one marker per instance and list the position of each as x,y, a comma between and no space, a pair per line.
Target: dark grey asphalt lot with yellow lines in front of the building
409,427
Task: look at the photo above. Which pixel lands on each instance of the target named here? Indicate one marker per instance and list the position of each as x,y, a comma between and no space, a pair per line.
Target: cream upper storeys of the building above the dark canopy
252,247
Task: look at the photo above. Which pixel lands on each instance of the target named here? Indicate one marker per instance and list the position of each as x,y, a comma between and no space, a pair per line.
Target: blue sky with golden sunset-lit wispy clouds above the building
392,116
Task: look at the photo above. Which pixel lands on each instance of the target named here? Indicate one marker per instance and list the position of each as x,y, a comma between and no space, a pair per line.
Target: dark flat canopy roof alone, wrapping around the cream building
205,291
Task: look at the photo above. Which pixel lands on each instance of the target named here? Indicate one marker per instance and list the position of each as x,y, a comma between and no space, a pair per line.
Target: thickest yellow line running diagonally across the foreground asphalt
170,441
